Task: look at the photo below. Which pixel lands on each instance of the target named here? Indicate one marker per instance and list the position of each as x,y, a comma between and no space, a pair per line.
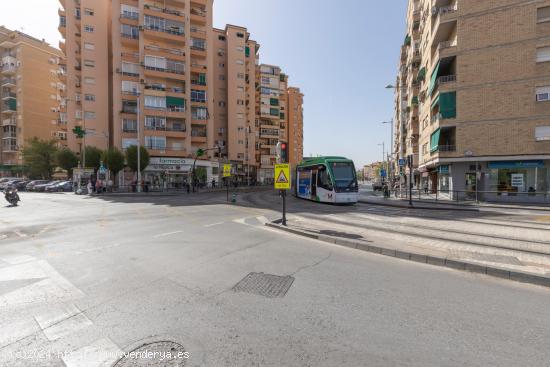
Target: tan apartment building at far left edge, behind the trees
31,95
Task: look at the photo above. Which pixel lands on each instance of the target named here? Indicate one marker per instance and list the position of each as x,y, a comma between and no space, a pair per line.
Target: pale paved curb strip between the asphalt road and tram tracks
512,264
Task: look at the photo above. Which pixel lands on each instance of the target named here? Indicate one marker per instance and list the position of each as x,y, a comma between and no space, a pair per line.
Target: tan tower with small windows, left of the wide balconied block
84,25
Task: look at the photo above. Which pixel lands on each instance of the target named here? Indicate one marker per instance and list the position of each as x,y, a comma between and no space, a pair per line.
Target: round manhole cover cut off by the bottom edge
162,353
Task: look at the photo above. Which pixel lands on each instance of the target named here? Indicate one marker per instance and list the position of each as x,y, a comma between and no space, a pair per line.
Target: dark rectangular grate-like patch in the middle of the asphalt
266,285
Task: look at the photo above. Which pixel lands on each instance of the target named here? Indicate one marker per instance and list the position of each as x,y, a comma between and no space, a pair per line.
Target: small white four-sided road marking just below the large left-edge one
59,323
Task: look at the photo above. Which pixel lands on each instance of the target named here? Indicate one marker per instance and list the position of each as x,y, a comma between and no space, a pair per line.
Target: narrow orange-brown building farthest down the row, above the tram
295,121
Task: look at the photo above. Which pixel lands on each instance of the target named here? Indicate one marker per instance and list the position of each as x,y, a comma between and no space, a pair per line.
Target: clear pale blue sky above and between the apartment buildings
340,53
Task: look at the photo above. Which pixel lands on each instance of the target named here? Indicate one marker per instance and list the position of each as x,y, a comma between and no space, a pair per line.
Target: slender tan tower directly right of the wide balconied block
234,98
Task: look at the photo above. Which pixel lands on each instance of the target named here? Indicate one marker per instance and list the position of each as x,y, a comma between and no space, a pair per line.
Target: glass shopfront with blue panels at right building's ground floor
520,177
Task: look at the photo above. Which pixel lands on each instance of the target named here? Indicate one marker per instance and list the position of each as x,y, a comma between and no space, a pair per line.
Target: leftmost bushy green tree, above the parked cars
39,158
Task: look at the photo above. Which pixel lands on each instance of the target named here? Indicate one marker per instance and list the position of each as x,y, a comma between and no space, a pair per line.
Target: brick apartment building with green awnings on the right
472,97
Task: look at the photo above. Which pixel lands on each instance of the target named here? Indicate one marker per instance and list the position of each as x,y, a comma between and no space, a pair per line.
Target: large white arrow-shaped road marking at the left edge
53,288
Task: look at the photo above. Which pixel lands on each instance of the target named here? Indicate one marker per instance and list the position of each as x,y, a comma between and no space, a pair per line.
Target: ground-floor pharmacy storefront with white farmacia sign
164,173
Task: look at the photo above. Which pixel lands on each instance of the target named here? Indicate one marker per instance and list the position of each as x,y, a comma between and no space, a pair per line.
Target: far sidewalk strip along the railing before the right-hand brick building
433,204
